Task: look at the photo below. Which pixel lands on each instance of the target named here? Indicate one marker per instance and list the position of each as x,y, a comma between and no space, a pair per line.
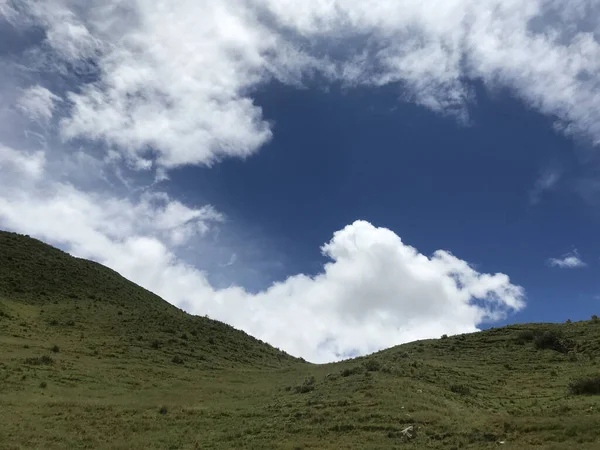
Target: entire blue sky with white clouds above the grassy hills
334,177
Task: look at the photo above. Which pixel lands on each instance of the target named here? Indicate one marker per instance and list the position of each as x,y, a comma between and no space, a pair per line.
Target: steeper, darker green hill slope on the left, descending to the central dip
54,294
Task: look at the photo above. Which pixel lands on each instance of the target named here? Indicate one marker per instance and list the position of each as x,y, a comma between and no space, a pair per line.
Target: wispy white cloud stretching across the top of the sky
177,78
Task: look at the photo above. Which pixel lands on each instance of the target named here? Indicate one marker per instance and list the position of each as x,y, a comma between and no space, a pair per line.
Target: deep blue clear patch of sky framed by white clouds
470,189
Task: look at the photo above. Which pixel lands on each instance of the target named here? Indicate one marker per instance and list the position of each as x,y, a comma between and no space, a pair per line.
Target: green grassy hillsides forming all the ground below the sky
90,360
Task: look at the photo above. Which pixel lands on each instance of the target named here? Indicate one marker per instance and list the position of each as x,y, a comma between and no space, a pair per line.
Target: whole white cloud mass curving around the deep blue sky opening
98,95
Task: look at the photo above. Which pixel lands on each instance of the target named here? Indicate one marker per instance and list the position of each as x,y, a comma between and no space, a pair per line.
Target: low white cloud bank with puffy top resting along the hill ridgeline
375,292
